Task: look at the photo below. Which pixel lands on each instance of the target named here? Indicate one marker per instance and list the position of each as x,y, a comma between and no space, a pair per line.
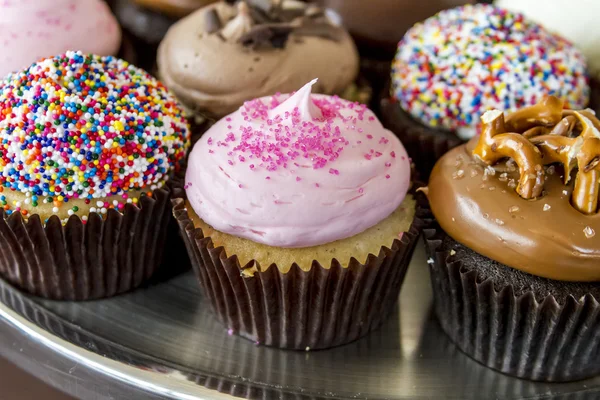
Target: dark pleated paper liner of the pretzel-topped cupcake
506,327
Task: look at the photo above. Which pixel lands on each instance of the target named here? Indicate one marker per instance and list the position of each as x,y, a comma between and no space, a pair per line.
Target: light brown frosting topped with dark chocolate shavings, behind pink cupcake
225,54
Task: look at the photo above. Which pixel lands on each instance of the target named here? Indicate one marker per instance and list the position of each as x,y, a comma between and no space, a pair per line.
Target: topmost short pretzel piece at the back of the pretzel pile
548,112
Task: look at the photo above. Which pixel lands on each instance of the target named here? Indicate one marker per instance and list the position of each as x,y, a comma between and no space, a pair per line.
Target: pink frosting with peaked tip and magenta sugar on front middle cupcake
297,171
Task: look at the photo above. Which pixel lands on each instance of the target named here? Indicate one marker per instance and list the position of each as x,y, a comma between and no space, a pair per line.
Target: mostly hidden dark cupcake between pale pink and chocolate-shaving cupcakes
146,22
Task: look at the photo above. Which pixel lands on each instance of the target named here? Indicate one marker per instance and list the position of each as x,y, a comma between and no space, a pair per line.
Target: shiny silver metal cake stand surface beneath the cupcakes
161,342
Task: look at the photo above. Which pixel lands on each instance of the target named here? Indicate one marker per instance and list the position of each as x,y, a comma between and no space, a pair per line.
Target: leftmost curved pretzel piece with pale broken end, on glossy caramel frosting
495,144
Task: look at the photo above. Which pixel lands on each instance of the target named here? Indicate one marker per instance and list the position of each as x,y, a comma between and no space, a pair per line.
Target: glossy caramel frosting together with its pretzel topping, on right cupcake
525,193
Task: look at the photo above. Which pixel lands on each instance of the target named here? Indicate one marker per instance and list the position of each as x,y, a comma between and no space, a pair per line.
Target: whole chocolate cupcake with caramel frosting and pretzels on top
515,258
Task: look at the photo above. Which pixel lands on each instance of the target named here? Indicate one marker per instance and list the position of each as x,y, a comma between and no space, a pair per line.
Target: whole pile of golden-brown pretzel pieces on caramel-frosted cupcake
546,134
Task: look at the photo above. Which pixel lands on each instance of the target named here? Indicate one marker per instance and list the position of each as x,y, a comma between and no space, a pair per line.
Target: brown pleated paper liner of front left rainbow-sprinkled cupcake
76,261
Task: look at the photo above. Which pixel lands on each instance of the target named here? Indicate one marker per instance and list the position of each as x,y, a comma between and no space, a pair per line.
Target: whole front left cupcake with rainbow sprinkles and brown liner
88,145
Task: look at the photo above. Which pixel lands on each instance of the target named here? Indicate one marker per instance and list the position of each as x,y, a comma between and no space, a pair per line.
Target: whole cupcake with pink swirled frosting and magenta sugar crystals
297,219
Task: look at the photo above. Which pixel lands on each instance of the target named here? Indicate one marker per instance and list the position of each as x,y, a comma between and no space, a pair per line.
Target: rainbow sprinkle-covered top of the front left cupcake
86,127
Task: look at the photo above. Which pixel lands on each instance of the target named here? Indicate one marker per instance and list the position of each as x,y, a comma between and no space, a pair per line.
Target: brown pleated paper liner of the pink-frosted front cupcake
315,309
